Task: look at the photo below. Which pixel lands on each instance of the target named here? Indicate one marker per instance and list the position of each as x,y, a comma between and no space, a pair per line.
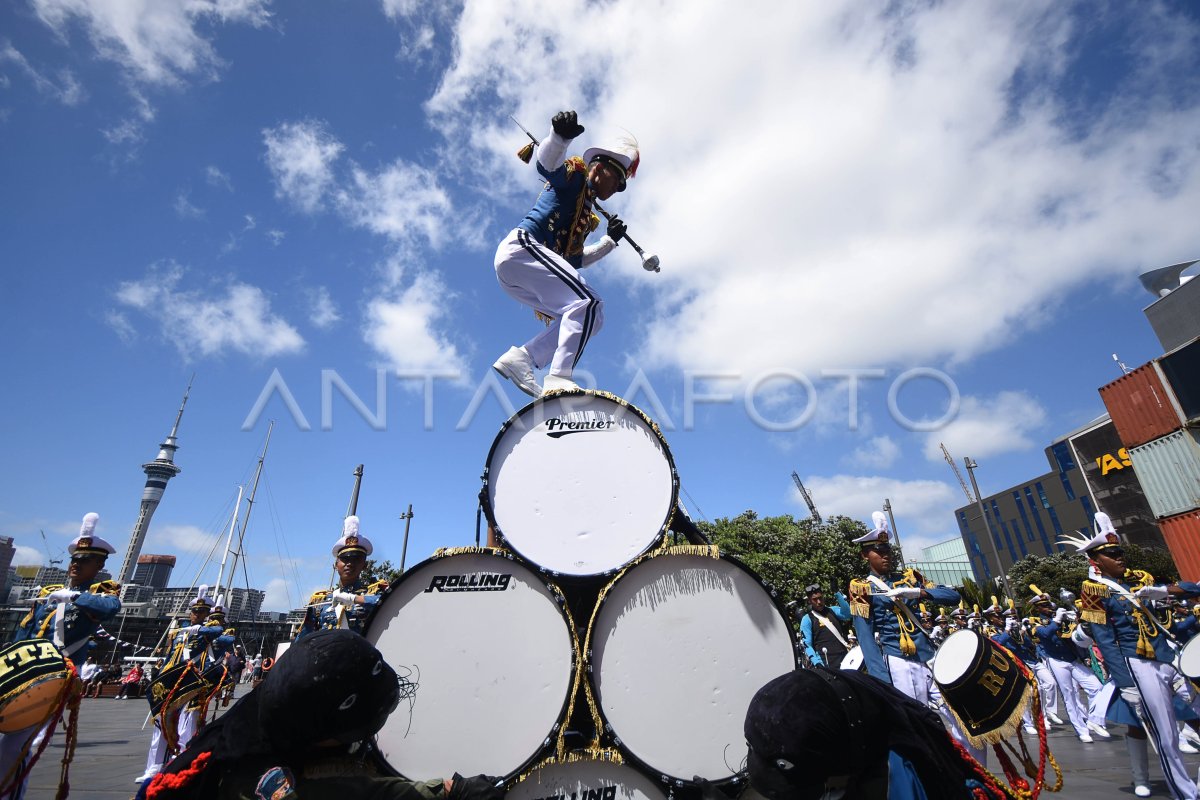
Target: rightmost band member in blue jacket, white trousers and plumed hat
1138,654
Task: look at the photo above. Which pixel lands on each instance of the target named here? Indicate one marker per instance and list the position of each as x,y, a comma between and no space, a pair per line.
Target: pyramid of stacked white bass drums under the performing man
584,658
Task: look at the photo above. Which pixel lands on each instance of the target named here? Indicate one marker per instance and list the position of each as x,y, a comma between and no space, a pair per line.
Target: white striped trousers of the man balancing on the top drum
537,276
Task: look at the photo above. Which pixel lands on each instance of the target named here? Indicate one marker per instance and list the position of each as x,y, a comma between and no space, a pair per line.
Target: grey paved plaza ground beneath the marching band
112,753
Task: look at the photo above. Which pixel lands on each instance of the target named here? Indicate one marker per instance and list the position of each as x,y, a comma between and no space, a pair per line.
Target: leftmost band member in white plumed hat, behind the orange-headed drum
67,616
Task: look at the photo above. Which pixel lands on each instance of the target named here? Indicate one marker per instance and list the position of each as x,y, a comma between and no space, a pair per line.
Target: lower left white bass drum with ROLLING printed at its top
487,659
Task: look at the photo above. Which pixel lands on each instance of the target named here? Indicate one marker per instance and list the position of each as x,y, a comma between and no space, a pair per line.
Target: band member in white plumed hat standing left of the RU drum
880,605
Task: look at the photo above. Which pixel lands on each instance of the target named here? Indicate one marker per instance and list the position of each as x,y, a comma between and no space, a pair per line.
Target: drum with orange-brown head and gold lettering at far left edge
33,685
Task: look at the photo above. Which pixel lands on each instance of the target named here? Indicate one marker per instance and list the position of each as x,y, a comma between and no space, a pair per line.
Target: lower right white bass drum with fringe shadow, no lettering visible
679,646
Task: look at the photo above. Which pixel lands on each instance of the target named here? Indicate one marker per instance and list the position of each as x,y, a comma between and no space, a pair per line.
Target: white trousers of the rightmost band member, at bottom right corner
1151,700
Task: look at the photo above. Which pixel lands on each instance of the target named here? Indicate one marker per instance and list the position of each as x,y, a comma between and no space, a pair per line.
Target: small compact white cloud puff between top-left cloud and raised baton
301,157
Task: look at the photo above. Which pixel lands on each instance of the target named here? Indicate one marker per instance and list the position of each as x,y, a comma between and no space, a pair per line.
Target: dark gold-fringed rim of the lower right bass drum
592,675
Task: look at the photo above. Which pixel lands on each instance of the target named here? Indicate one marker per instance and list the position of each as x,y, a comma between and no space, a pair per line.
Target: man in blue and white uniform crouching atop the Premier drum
538,263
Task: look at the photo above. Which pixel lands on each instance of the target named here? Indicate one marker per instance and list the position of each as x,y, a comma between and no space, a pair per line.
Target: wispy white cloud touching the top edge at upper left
153,41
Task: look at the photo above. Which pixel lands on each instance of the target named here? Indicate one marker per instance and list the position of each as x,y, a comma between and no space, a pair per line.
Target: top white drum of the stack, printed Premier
581,484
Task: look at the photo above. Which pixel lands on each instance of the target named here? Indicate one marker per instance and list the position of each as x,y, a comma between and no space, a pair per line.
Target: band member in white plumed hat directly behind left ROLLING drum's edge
352,603
